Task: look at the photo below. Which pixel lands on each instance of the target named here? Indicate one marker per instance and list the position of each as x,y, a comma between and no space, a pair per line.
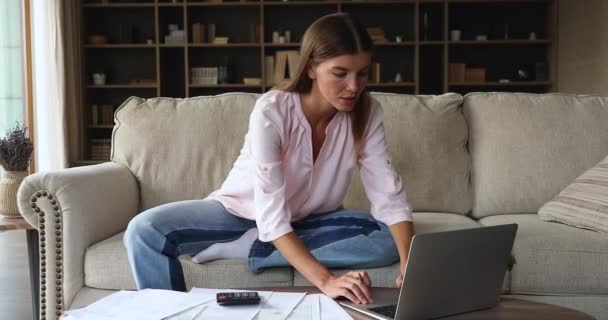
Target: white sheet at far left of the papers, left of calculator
147,304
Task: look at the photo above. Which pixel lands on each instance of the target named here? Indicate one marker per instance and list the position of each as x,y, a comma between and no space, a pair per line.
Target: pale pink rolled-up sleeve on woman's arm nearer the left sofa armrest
272,214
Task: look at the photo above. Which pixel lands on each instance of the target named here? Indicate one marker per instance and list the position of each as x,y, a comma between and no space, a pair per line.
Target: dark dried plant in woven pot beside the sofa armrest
15,151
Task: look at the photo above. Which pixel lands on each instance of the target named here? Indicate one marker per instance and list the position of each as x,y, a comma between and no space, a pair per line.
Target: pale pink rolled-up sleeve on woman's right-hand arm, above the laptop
383,185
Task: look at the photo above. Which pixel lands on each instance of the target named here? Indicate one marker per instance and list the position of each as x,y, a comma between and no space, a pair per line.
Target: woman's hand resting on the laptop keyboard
355,286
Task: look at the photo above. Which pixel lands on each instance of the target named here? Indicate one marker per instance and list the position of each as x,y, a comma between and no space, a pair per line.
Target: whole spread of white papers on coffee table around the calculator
199,304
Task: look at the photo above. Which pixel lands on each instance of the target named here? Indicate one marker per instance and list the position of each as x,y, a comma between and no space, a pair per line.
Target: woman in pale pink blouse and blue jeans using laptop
281,204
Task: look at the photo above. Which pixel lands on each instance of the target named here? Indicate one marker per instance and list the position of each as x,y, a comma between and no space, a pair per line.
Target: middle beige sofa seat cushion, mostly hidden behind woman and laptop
424,222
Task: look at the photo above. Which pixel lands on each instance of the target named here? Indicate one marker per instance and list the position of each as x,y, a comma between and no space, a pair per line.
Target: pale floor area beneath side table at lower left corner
15,296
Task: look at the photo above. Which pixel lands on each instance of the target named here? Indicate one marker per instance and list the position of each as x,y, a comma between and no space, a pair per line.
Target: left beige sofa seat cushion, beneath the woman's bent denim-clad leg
106,267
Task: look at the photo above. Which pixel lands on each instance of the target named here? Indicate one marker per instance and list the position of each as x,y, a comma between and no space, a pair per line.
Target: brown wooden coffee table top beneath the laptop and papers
508,308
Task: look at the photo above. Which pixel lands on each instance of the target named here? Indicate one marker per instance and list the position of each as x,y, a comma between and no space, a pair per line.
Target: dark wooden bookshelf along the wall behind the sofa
135,52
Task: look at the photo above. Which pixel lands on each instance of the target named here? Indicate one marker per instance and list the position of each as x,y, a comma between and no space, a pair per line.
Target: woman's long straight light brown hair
328,37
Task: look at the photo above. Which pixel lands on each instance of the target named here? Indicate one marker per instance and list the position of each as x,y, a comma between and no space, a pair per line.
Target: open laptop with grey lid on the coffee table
448,273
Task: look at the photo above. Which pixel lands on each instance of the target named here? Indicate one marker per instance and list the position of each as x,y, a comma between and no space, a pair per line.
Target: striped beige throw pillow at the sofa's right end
584,203
